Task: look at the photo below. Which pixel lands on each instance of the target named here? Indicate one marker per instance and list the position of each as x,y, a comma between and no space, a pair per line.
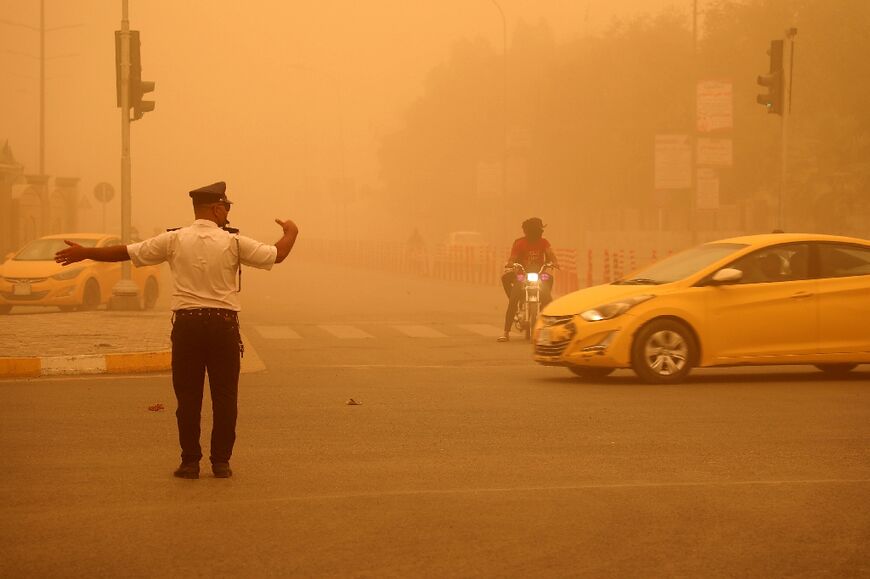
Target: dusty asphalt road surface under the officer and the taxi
463,459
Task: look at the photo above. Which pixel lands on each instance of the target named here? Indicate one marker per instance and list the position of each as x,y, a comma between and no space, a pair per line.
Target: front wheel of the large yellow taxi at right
663,352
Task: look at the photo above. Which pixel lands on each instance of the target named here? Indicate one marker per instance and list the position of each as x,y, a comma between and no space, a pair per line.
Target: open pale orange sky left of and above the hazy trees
243,89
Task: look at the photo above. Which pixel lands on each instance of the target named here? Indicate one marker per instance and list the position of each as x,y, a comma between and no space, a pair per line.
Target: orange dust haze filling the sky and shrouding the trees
365,121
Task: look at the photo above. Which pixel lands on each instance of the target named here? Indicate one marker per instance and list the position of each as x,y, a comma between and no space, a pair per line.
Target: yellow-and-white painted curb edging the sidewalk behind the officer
121,363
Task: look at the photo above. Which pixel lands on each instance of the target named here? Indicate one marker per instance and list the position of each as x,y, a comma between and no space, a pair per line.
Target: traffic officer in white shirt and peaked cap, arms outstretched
206,259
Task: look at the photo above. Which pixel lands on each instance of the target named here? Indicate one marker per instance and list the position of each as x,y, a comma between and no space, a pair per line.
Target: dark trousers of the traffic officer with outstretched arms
206,341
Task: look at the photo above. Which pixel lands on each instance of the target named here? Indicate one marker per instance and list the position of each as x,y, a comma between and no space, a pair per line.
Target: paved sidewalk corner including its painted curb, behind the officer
44,342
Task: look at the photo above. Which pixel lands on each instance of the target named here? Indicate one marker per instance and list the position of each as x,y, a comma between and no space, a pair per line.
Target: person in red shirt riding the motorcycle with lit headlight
531,251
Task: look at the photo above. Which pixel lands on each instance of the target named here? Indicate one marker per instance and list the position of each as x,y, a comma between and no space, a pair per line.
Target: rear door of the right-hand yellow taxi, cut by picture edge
844,297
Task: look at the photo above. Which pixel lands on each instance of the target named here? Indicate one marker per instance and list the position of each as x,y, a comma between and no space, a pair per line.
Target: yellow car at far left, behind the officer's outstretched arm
30,277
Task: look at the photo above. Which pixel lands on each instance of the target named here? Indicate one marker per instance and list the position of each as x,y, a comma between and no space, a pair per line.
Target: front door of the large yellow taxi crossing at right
770,314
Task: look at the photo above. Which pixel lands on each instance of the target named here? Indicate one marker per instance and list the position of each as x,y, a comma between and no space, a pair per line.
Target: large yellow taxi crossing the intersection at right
753,300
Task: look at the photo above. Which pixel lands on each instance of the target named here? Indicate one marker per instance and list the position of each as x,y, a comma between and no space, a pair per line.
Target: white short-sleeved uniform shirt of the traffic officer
204,260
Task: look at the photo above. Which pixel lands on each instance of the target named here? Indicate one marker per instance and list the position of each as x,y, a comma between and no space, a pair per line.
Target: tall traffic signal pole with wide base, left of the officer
125,294
